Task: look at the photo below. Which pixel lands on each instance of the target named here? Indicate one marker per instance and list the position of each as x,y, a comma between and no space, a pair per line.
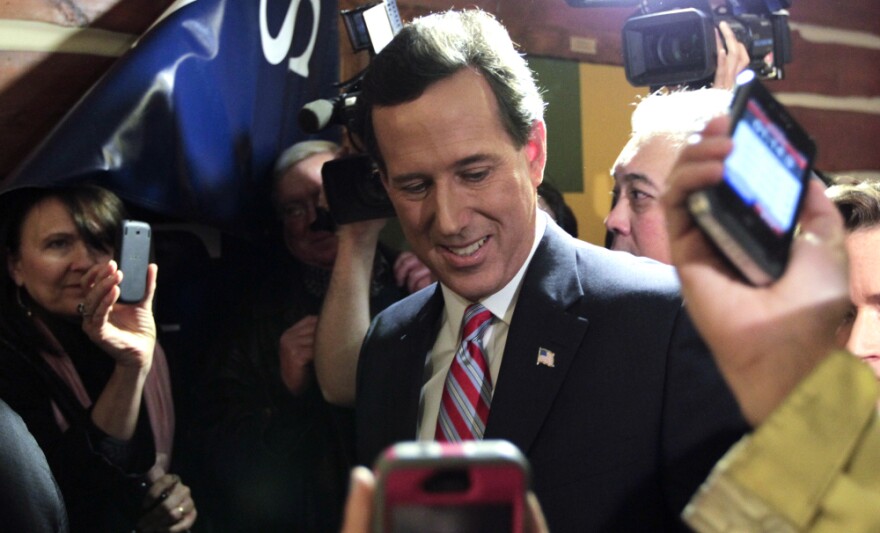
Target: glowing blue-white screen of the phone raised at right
765,169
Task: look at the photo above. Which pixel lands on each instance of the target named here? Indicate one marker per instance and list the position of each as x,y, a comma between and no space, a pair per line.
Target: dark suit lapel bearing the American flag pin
525,390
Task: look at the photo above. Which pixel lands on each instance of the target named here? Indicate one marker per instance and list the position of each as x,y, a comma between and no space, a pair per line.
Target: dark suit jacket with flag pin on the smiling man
621,432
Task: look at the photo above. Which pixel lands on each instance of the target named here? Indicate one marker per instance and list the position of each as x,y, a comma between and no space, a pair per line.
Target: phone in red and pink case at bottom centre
472,486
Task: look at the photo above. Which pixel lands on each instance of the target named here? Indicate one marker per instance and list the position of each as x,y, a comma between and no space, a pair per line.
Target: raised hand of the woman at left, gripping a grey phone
127,332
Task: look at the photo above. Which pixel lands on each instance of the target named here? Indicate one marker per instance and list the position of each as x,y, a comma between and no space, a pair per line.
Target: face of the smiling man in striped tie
464,193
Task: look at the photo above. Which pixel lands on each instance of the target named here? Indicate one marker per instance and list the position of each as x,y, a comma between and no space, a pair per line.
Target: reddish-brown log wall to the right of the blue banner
832,86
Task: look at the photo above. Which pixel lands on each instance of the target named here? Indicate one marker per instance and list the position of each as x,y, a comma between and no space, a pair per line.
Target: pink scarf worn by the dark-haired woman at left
157,397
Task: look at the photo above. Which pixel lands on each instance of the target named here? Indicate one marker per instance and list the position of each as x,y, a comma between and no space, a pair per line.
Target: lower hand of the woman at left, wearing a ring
168,506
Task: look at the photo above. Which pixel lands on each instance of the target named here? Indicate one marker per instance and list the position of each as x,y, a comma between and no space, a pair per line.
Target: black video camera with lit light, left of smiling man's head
352,184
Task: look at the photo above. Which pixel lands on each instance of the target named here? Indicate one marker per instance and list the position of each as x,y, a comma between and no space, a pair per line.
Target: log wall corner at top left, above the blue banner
51,52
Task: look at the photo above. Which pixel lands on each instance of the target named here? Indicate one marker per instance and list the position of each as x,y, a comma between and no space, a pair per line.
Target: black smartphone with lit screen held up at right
751,216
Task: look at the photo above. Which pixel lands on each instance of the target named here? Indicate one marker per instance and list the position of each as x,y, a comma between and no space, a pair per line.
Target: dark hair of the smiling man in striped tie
435,47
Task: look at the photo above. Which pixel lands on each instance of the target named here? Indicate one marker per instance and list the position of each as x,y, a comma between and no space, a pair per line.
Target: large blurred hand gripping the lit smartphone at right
764,339
